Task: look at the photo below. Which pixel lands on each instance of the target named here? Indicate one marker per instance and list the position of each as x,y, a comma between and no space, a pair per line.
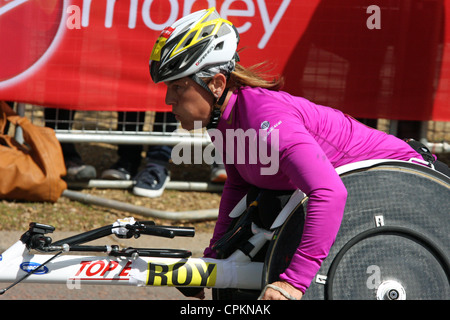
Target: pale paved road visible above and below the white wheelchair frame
33,291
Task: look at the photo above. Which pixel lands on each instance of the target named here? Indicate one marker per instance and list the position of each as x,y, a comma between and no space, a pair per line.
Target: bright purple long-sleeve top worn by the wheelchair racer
309,141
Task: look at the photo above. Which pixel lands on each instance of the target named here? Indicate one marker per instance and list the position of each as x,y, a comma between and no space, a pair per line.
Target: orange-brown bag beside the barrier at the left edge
32,171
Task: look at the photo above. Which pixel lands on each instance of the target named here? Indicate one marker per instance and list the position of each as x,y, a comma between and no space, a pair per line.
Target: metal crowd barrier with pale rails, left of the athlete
101,127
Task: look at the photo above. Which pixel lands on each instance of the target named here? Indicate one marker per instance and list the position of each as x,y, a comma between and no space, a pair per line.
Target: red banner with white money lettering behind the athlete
371,59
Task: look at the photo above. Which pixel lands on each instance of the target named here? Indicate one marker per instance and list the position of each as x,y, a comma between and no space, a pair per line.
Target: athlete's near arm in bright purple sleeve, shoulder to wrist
307,166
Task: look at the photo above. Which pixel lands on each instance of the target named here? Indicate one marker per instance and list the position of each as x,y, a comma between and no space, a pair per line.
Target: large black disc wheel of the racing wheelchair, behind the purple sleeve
393,243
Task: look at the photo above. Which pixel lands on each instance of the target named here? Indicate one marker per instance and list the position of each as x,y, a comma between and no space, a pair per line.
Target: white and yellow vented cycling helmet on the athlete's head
196,42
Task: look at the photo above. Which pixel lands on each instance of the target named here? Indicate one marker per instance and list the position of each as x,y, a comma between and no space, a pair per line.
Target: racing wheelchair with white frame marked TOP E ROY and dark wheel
393,244
